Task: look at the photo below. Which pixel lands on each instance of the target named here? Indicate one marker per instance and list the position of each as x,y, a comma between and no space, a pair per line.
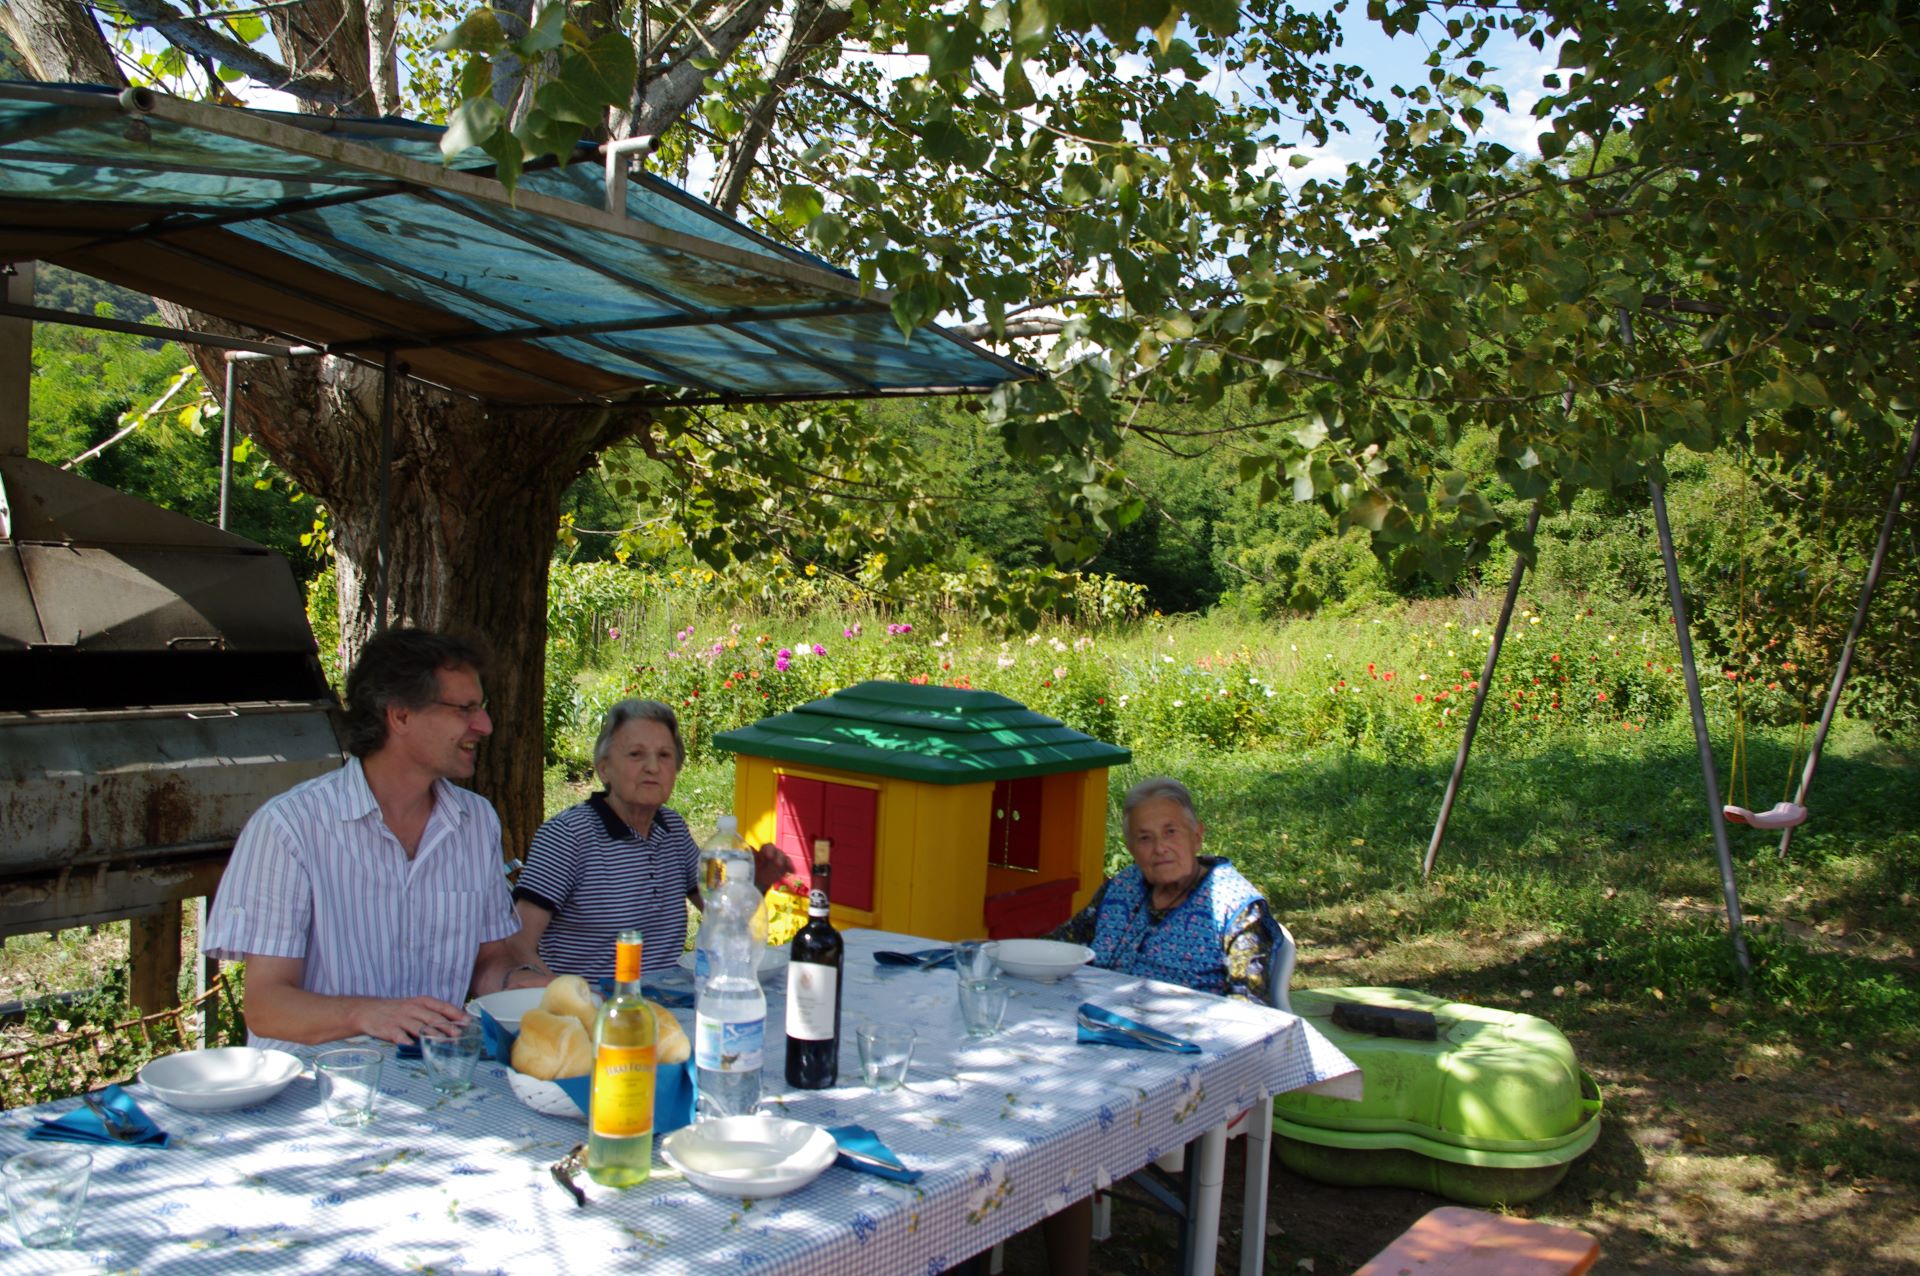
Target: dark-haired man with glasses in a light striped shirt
372,903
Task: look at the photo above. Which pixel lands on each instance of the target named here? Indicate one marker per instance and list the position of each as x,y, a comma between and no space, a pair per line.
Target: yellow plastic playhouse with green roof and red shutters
951,813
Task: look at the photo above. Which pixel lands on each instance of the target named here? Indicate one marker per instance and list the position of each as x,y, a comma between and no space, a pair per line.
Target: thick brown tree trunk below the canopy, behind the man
475,500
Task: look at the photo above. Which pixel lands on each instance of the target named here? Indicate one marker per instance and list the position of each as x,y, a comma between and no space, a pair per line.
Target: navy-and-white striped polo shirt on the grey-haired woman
600,878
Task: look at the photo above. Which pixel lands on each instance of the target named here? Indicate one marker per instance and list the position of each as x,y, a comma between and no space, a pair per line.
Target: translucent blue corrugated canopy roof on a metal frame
354,237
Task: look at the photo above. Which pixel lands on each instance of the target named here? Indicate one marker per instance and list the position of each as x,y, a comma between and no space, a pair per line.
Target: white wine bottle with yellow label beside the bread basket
621,1114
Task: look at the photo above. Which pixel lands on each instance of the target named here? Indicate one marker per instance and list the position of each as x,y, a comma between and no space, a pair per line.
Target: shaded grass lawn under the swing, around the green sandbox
1764,1129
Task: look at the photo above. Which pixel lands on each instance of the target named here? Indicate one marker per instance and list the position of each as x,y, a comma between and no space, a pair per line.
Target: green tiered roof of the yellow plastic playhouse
936,736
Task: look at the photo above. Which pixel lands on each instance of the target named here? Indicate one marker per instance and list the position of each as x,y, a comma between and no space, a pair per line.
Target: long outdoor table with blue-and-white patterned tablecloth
1007,1131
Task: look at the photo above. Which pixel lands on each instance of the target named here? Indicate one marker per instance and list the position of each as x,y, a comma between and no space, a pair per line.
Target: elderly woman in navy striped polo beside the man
619,861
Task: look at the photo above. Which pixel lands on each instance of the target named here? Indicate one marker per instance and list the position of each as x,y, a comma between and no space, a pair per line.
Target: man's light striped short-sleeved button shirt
318,876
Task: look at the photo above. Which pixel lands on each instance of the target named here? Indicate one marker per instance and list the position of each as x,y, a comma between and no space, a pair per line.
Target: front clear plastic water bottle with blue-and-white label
731,1018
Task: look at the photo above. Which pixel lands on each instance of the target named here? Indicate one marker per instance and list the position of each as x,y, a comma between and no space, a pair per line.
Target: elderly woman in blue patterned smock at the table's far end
1178,916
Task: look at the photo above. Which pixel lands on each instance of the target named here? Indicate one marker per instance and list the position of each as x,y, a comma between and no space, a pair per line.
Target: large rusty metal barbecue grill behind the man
158,682
